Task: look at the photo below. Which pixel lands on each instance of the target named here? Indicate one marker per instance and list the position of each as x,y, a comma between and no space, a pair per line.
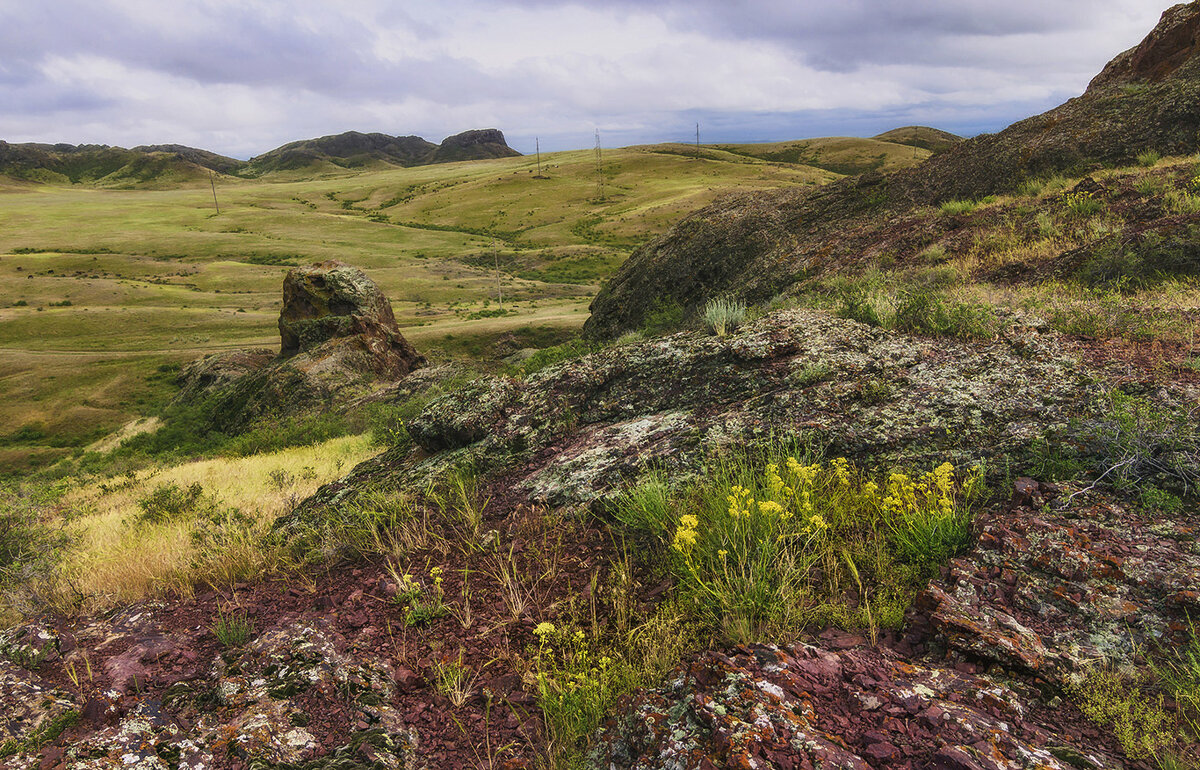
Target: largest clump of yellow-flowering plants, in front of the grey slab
747,545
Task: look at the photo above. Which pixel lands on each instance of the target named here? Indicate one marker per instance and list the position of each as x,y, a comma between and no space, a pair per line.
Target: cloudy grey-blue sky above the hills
242,77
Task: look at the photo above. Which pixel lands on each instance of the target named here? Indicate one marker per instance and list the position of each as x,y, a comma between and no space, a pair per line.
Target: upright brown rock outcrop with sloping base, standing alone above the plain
339,344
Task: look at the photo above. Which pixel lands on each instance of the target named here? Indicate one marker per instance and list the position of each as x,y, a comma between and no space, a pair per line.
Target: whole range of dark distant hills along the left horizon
155,165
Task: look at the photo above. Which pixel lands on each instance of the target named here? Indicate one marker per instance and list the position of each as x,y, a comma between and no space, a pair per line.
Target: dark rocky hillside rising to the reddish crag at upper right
755,246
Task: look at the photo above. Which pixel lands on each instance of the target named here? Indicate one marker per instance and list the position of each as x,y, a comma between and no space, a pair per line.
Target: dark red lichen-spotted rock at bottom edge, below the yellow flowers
805,707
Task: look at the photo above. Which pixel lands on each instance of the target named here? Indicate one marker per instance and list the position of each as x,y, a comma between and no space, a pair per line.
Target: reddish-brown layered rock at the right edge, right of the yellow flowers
1049,592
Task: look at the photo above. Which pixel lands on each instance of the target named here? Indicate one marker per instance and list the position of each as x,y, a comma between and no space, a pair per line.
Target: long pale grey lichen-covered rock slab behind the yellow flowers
579,431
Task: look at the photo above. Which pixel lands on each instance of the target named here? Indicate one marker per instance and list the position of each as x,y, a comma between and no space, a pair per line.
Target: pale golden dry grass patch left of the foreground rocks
116,560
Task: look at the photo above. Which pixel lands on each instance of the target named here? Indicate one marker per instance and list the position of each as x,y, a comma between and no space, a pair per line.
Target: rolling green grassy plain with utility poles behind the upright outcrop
101,291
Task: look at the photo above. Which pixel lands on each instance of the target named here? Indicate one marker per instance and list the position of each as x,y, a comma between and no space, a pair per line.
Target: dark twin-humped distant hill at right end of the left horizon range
363,151
